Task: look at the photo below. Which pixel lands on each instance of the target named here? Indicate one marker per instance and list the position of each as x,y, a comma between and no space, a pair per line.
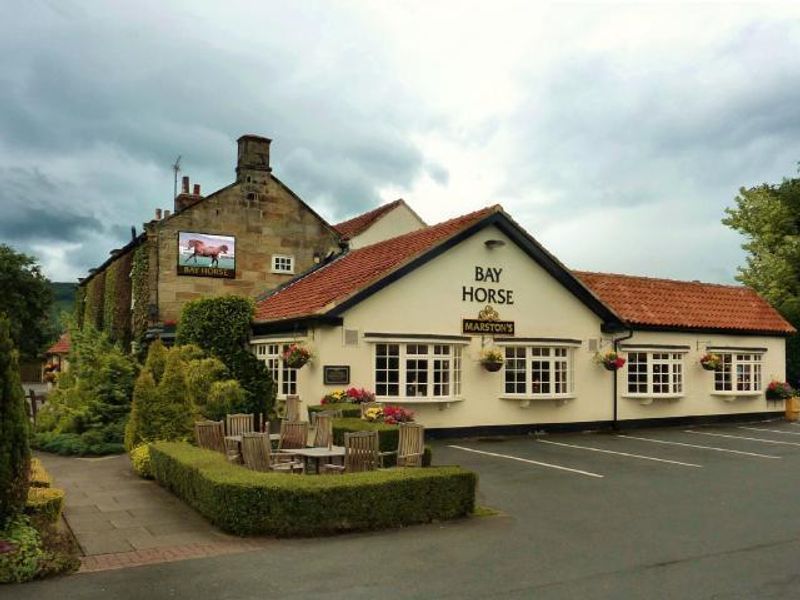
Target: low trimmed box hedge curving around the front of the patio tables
247,502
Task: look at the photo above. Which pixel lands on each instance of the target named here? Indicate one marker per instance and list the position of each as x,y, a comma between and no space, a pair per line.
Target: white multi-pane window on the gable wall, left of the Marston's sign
417,370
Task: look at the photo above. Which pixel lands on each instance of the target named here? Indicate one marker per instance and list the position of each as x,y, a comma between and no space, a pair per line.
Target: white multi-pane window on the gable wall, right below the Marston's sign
538,371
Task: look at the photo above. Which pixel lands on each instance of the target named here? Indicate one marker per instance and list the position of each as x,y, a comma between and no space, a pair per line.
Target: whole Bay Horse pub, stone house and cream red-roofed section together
407,310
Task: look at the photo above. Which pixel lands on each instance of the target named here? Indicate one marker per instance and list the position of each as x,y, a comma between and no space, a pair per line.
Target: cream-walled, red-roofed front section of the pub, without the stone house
410,318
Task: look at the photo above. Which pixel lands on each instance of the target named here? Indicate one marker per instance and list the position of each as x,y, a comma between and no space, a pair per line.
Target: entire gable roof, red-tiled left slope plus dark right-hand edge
354,276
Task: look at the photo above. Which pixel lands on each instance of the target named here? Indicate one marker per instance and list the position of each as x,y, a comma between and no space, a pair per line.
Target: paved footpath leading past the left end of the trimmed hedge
121,520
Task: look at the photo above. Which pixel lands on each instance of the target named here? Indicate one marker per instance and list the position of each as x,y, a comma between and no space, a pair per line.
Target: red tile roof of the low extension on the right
684,304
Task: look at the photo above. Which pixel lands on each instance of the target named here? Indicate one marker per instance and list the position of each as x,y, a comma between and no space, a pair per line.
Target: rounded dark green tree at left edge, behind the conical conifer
27,297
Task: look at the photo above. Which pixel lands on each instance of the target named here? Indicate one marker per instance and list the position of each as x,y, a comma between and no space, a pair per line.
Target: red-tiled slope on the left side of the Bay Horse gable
322,289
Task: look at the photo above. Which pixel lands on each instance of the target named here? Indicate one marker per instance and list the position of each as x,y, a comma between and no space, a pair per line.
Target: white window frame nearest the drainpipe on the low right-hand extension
661,368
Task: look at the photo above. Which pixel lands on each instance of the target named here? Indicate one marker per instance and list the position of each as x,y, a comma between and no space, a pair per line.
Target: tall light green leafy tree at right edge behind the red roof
769,217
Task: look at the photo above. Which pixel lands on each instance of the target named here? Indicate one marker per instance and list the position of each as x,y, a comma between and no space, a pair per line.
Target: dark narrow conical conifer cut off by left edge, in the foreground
15,453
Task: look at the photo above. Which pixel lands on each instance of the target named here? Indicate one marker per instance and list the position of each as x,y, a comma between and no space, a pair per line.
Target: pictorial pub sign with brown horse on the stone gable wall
206,255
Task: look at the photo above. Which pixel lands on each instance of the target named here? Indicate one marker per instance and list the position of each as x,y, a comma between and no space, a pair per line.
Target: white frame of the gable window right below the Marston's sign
550,361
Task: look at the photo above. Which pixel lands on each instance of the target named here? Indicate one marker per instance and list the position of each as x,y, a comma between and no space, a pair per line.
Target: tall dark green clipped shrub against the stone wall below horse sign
222,326
